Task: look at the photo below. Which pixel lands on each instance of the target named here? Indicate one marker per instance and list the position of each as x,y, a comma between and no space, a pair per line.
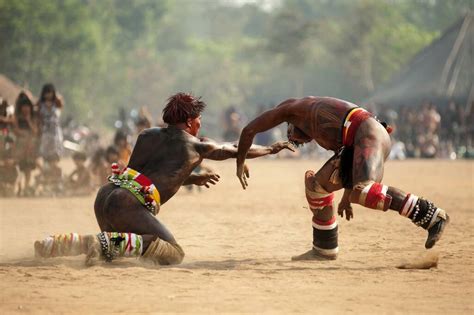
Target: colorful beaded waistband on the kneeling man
139,185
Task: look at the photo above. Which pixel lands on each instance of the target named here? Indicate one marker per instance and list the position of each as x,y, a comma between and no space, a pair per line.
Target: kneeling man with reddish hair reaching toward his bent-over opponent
162,161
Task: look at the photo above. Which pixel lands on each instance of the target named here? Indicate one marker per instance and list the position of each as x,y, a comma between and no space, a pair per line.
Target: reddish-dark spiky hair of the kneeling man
181,107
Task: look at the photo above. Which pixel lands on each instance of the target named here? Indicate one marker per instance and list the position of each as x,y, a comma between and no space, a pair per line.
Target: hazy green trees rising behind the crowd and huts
106,54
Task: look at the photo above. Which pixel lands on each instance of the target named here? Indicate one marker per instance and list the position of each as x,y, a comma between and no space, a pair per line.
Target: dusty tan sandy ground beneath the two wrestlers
238,246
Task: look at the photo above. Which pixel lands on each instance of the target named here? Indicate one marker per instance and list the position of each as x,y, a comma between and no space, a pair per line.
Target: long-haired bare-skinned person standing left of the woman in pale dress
26,131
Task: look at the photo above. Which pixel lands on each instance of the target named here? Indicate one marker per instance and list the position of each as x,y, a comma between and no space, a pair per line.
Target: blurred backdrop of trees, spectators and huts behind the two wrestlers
113,63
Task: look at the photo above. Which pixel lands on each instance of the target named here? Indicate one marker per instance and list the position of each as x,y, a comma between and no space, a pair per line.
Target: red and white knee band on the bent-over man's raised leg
372,195
